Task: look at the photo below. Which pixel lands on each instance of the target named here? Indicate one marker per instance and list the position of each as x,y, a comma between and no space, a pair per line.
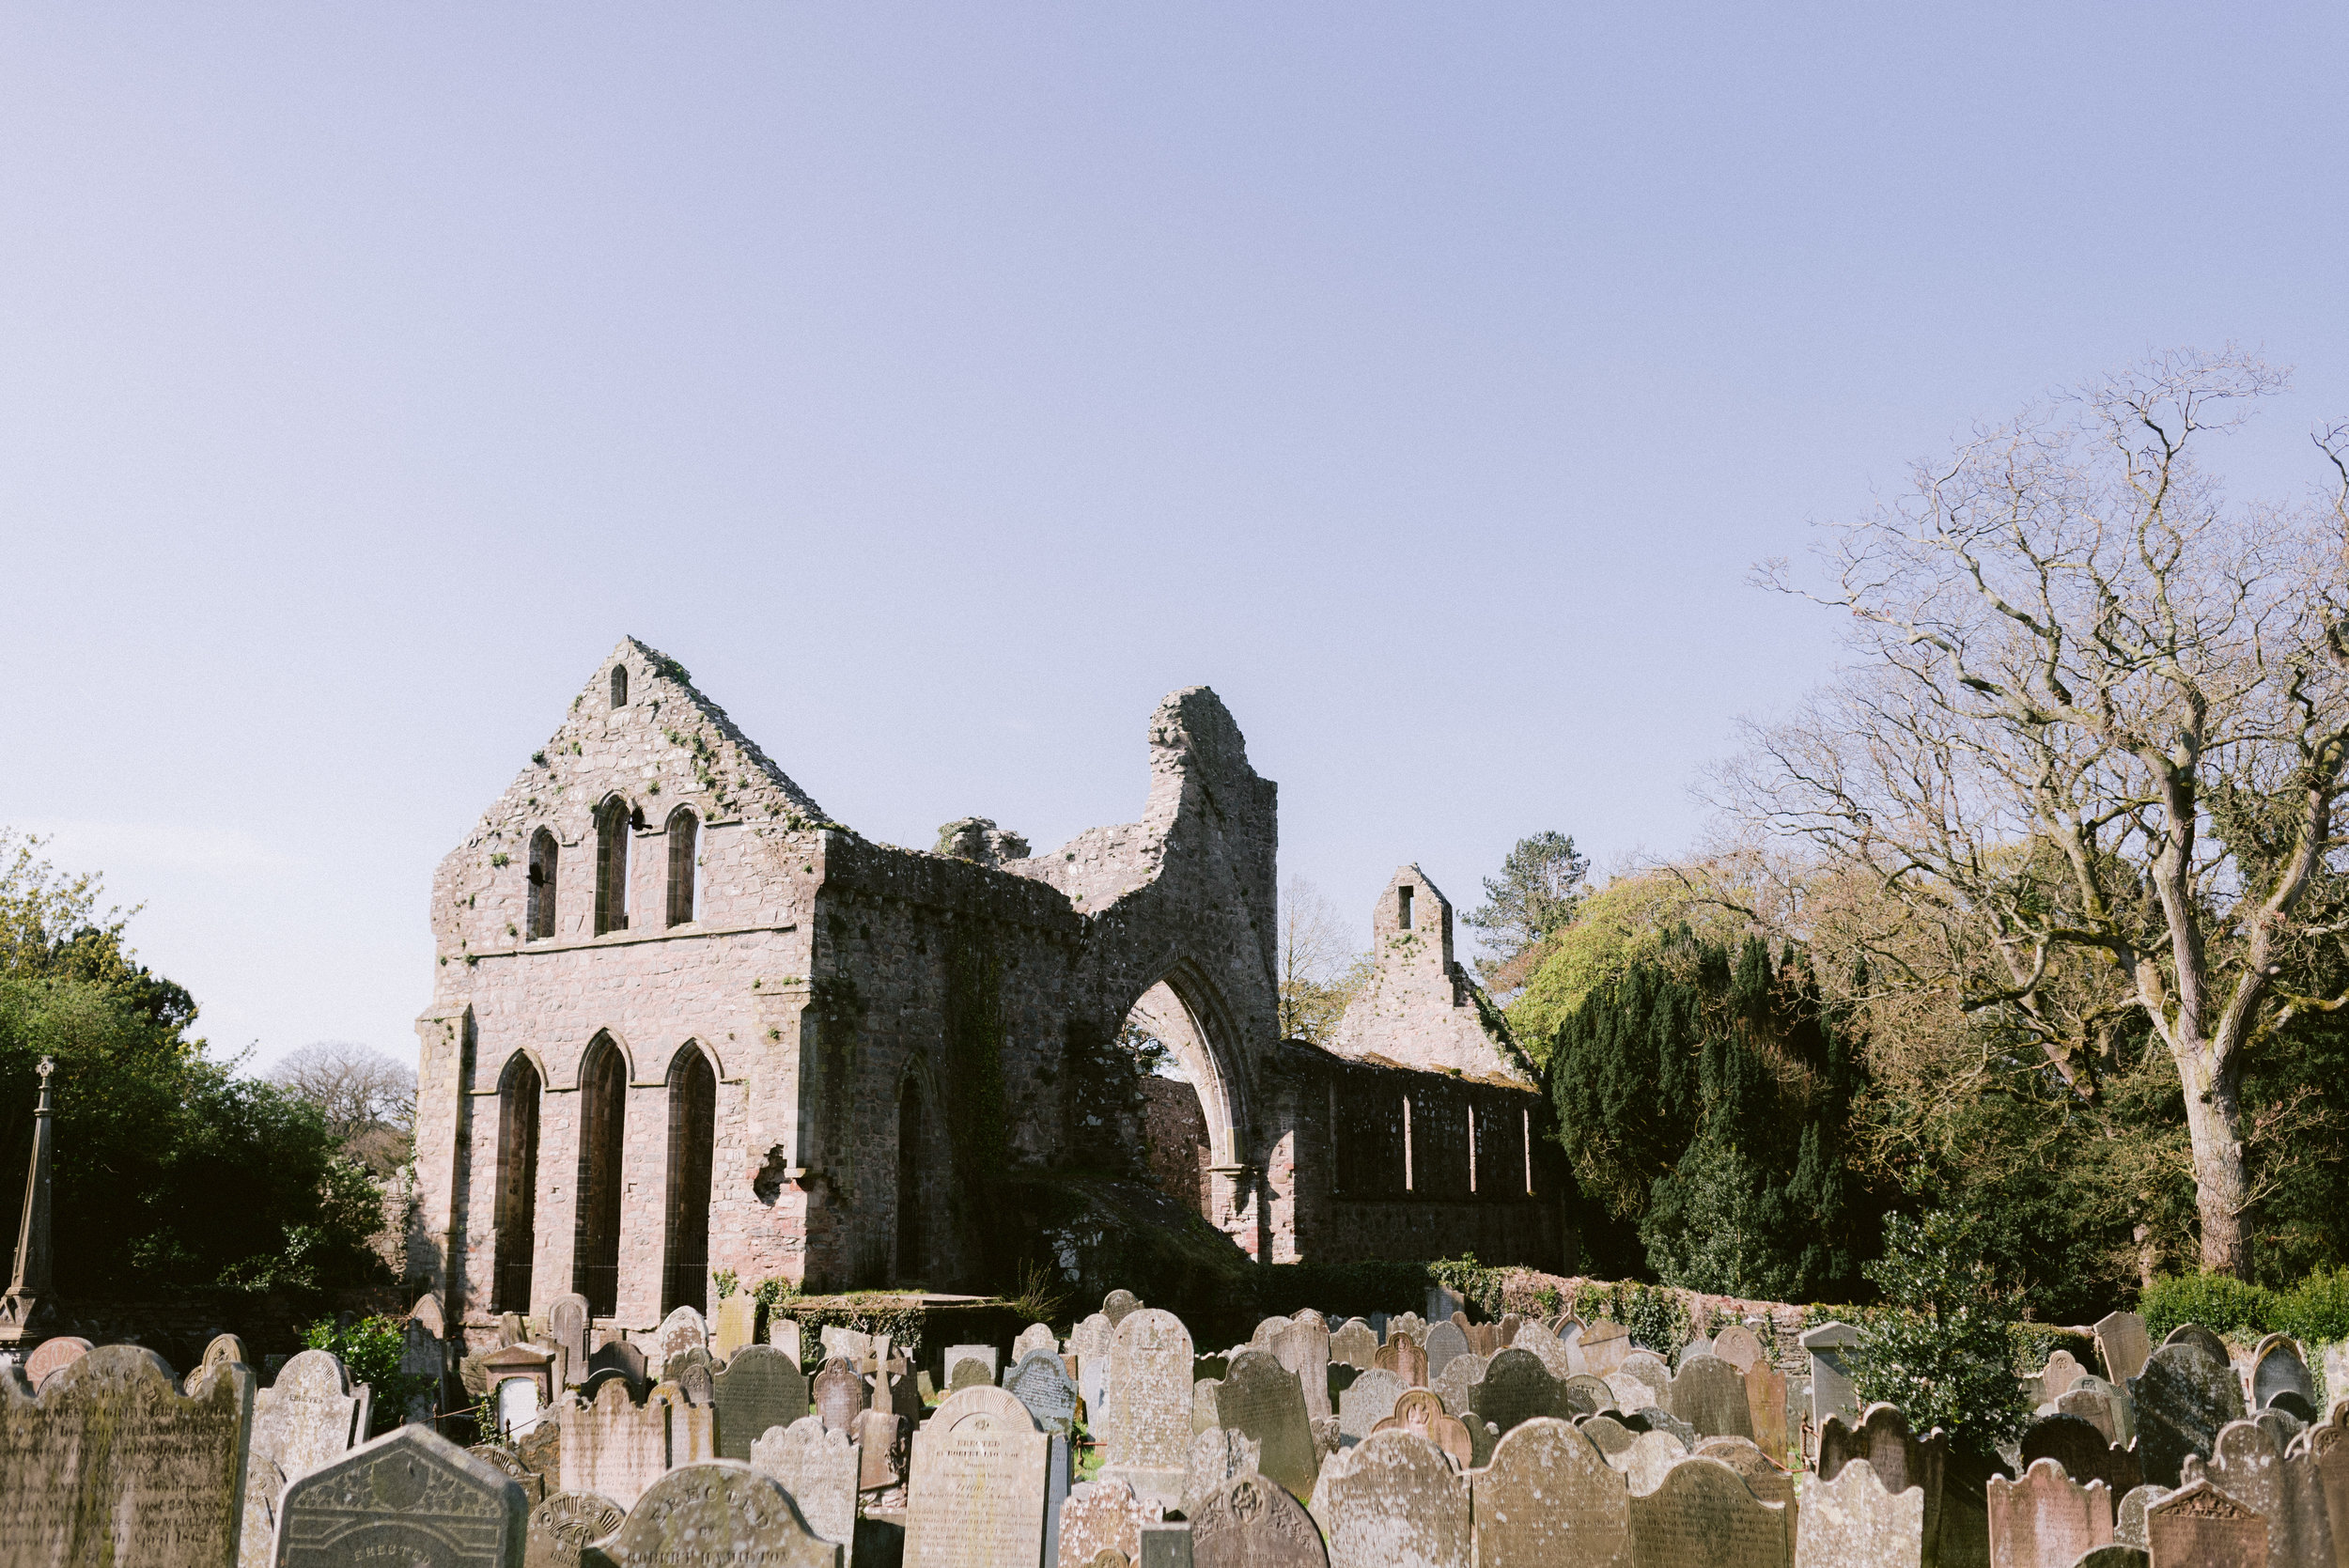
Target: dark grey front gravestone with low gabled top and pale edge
405,1499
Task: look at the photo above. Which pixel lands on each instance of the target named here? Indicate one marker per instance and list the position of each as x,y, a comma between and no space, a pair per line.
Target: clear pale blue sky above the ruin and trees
948,384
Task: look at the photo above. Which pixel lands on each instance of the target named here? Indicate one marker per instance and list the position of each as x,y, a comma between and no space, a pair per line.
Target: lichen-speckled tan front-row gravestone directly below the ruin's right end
1552,1501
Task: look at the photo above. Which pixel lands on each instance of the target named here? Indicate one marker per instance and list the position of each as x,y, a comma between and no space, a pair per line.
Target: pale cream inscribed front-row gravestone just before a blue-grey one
978,1485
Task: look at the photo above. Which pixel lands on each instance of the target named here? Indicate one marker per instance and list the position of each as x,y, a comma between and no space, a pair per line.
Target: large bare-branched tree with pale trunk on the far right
2094,743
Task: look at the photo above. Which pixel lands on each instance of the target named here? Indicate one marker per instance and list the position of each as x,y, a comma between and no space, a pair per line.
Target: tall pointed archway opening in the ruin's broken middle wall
1187,1090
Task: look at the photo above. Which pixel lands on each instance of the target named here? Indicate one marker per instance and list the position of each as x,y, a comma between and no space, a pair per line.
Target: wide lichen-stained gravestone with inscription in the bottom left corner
114,1464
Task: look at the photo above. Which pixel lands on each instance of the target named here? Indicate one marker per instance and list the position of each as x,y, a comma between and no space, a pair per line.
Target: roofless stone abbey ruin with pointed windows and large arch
685,1022
